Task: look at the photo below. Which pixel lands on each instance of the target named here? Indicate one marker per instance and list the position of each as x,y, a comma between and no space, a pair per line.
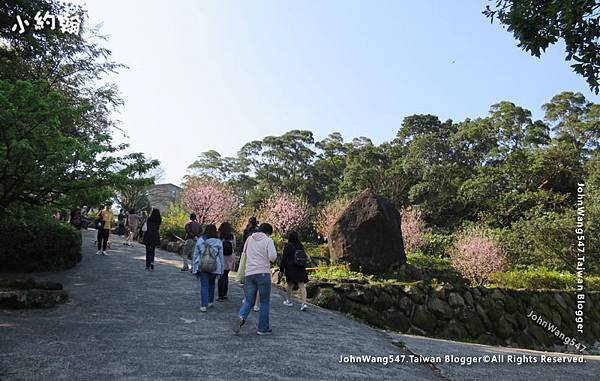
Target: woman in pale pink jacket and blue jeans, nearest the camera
260,252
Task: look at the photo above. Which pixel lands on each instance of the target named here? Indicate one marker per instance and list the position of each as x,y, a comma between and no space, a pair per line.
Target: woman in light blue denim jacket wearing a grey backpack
208,263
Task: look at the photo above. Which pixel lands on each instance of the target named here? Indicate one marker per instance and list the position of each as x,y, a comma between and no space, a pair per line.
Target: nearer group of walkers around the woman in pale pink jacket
212,252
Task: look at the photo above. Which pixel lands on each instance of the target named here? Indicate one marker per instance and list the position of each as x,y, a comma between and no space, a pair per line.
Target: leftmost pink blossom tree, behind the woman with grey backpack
212,202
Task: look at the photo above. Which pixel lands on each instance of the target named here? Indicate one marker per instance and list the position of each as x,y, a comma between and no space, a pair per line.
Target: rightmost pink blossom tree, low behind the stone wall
476,254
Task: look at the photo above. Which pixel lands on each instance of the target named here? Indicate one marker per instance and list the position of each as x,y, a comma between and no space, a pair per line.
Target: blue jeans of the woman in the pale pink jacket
262,284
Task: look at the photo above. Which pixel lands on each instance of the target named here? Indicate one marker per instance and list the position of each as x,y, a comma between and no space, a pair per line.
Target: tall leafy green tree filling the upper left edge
56,115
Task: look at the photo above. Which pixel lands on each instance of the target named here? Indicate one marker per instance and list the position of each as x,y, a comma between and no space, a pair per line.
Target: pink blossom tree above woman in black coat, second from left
284,211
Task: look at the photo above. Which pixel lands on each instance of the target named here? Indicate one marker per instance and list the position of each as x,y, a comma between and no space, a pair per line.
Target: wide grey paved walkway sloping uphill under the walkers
125,323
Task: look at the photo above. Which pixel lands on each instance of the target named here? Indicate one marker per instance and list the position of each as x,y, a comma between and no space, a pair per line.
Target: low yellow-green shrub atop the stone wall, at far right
542,278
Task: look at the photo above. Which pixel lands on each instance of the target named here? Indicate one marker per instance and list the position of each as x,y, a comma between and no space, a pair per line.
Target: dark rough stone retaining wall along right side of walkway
488,316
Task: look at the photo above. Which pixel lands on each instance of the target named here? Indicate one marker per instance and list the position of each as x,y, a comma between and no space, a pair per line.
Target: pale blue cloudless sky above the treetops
216,74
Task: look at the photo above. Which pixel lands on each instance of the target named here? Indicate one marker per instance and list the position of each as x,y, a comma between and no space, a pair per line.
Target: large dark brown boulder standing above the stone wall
367,235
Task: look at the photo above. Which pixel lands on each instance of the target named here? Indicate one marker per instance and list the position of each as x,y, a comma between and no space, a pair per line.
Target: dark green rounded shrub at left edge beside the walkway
46,245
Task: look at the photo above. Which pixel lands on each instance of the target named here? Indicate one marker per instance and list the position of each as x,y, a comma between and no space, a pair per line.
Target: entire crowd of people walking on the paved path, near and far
210,253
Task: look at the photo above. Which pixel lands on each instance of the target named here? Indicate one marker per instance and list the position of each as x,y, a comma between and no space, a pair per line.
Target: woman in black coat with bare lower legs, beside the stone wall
295,276
